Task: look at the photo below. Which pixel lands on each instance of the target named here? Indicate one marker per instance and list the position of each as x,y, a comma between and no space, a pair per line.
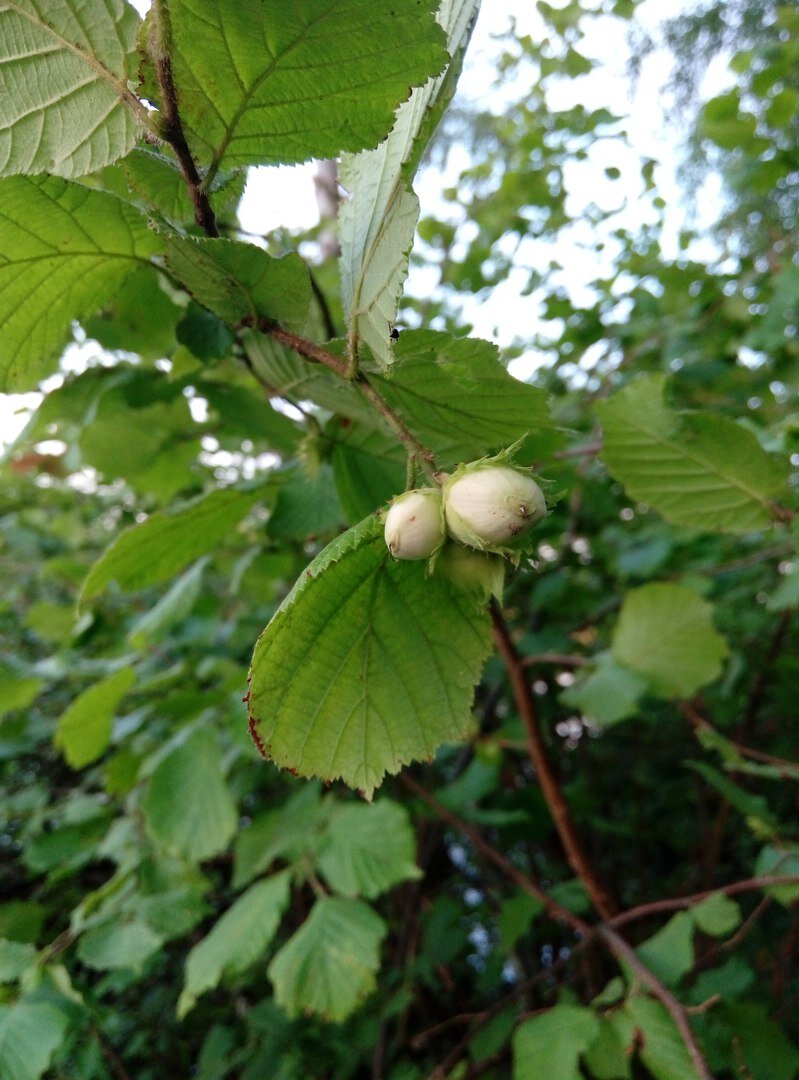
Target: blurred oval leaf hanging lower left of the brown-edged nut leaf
188,807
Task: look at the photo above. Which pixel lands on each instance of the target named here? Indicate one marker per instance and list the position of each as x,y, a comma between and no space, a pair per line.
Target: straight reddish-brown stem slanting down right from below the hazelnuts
550,787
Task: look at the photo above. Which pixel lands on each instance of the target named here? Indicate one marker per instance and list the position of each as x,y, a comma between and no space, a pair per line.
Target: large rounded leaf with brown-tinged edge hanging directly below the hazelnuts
368,665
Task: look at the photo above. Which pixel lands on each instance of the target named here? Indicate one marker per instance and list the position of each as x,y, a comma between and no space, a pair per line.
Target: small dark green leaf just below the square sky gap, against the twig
239,281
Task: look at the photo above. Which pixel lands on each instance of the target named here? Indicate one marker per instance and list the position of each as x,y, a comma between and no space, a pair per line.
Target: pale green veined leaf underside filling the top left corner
64,64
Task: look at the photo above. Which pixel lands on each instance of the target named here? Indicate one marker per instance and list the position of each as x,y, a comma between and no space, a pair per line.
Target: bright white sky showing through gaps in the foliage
286,197
